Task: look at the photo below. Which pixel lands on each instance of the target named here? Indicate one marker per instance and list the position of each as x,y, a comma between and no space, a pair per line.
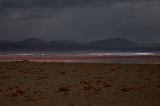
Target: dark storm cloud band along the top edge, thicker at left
57,3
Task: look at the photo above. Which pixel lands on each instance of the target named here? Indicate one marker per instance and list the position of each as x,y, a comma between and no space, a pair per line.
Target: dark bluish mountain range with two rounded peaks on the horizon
112,44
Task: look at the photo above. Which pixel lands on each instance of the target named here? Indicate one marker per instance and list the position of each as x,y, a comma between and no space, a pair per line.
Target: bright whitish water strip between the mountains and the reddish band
88,53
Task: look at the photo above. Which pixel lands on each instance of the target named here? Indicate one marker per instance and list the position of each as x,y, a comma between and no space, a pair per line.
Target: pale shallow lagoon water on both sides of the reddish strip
87,53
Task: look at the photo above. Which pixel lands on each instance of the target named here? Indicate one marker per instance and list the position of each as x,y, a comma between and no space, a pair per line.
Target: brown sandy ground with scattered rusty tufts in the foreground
79,84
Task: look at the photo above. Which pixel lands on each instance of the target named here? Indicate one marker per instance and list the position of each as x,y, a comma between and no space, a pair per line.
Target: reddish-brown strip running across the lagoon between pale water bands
79,57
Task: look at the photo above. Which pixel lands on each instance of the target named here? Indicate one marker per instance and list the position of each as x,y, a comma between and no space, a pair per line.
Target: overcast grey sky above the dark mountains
80,20
